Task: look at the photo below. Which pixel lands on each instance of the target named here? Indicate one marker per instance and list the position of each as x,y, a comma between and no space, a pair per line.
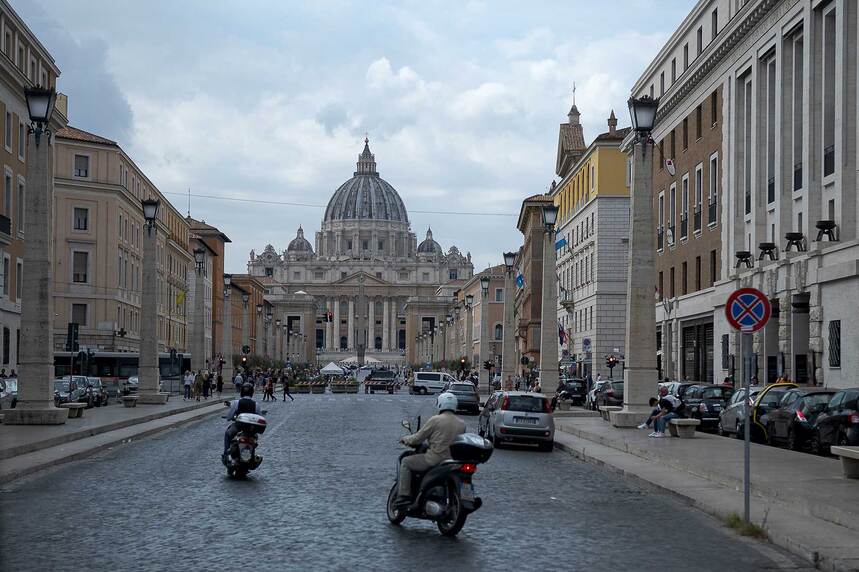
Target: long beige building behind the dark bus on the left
98,232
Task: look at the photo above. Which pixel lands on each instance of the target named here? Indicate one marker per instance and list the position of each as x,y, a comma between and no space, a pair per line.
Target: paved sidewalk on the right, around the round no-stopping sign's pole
802,501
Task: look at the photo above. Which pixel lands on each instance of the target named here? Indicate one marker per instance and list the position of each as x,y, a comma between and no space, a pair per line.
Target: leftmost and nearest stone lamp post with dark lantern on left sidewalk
36,350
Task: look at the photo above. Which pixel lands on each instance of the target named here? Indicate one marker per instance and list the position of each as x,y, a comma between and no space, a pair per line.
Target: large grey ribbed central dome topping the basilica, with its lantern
366,196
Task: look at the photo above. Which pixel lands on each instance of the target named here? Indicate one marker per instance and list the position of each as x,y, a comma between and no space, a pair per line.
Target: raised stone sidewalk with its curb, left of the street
26,448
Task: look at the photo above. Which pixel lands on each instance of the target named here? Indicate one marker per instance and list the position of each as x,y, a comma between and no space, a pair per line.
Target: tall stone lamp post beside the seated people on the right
639,375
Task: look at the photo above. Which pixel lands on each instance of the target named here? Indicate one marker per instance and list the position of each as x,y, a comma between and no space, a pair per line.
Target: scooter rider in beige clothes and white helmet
439,432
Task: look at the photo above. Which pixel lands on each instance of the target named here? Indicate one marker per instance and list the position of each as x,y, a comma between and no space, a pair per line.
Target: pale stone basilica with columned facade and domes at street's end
343,296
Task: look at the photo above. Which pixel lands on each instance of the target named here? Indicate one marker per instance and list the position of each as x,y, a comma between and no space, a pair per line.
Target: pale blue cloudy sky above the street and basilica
270,100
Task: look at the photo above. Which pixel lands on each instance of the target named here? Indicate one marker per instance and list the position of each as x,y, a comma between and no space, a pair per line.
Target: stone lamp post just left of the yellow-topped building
549,304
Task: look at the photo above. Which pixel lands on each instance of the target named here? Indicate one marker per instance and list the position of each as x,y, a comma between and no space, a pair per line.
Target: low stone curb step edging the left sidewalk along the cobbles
122,435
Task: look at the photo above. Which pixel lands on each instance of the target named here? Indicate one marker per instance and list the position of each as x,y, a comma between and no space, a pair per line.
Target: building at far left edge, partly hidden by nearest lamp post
24,62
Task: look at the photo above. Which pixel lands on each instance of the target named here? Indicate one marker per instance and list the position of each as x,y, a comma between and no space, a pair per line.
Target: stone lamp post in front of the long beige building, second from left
148,371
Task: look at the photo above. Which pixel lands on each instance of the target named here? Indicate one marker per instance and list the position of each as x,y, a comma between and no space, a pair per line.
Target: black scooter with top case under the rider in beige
445,493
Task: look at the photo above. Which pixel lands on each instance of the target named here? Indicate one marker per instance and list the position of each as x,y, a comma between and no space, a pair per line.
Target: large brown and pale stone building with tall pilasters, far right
776,86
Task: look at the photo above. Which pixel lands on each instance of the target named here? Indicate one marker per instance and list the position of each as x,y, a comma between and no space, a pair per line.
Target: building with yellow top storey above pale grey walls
592,249
